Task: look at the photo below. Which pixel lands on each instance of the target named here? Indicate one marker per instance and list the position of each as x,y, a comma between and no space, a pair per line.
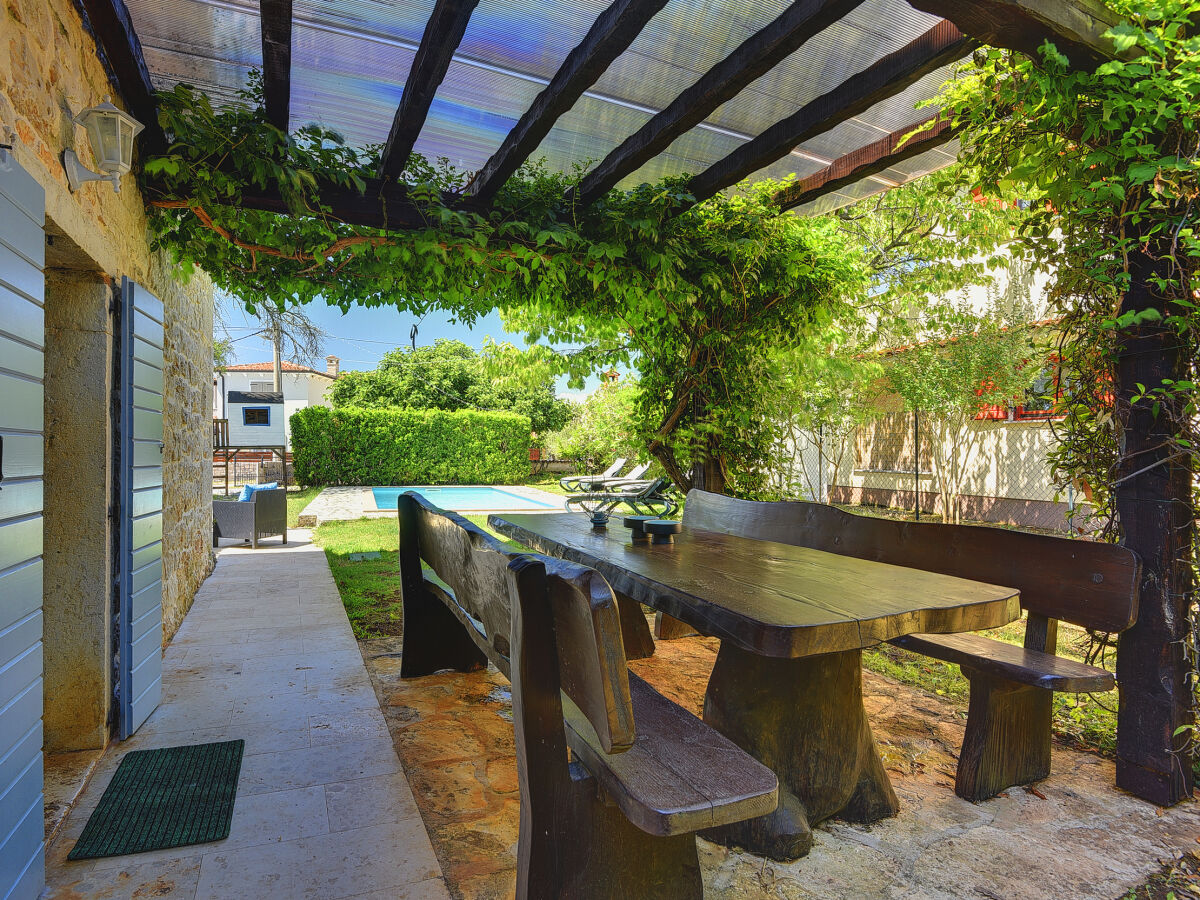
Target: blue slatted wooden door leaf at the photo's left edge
22,367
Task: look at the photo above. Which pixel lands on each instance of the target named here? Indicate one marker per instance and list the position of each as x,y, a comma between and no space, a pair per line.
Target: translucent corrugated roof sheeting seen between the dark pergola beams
351,58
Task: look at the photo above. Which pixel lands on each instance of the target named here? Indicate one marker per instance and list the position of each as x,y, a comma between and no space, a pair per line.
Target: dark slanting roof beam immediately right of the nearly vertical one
443,33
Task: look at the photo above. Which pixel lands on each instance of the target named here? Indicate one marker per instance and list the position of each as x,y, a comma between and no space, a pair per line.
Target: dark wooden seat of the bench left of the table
680,776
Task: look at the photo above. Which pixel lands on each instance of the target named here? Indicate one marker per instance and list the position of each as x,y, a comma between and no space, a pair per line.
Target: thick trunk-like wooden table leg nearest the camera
805,719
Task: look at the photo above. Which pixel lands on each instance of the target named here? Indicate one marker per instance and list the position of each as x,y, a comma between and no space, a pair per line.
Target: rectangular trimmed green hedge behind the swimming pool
409,447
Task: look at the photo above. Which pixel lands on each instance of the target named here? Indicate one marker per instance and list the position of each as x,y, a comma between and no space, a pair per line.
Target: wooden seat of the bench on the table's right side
1010,663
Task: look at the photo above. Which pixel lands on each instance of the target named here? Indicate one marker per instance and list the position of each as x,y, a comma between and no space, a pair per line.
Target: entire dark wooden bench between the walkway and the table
620,819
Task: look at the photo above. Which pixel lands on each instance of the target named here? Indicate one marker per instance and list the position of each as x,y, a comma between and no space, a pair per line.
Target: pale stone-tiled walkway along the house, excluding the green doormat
323,808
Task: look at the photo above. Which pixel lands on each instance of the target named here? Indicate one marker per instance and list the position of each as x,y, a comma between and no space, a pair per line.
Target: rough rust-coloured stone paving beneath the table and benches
1076,837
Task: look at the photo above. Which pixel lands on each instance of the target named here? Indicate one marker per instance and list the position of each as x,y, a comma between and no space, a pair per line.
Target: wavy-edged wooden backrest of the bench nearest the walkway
586,627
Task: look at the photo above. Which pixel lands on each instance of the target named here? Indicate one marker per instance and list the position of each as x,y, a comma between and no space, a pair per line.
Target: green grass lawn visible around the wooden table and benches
371,593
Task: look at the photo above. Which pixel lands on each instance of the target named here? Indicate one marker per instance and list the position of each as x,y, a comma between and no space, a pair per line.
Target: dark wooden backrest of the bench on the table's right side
1084,583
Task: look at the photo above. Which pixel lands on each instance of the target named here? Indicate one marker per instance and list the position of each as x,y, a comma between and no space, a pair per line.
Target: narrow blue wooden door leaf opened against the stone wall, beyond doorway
140,604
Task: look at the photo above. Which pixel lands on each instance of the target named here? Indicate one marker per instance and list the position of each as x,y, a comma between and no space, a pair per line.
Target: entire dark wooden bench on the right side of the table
1010,717
